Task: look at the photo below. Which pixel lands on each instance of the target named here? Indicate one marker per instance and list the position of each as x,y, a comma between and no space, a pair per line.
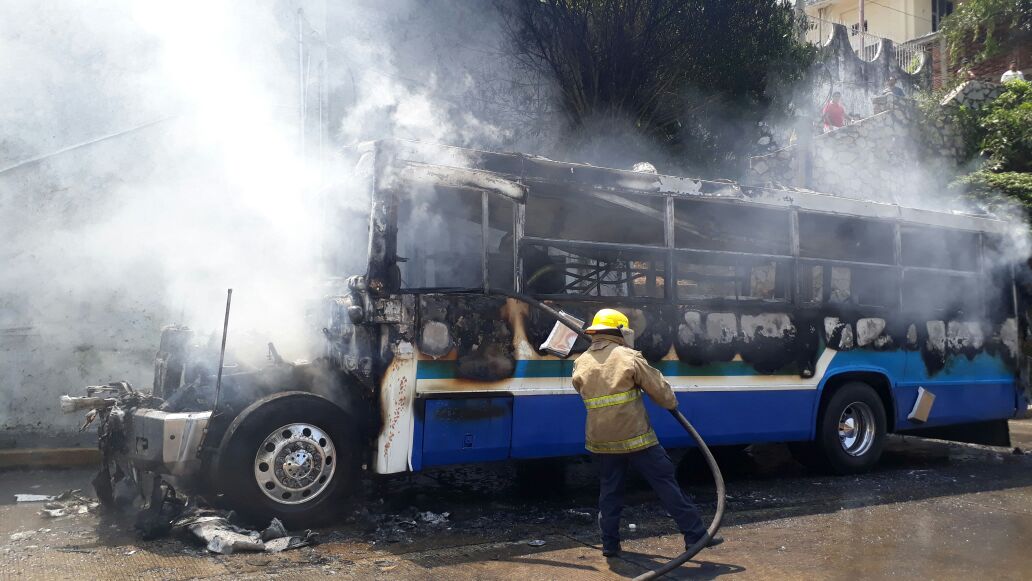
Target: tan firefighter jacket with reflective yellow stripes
612,378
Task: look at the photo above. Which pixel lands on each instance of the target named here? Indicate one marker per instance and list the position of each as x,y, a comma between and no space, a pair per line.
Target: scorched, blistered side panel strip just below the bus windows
479,335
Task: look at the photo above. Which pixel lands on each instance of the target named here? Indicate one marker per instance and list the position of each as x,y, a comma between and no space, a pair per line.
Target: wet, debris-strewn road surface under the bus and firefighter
934,510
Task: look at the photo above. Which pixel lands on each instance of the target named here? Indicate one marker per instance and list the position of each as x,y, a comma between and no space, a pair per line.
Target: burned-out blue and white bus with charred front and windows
778,315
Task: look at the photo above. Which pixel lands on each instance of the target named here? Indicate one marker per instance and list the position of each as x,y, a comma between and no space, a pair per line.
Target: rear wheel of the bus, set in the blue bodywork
852,430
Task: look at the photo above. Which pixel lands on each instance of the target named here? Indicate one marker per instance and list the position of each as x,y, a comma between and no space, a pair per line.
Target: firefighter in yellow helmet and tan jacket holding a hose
612,378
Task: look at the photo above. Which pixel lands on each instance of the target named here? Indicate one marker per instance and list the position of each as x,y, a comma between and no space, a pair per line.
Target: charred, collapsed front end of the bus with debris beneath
155,445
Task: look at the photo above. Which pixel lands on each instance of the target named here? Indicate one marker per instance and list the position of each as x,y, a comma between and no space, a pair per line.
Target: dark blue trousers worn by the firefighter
655,465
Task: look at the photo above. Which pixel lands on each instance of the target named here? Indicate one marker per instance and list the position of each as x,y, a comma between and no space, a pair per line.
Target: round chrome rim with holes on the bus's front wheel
296,464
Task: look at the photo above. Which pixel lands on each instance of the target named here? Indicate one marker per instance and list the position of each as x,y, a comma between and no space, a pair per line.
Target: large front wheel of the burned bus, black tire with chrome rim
291,457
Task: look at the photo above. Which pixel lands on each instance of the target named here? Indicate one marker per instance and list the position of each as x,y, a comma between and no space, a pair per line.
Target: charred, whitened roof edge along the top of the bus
514,176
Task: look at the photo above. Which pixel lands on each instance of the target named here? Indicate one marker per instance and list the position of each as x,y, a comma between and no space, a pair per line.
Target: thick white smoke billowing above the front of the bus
107,243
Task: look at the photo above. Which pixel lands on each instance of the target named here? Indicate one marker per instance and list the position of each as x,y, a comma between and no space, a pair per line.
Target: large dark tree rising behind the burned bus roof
692,79
